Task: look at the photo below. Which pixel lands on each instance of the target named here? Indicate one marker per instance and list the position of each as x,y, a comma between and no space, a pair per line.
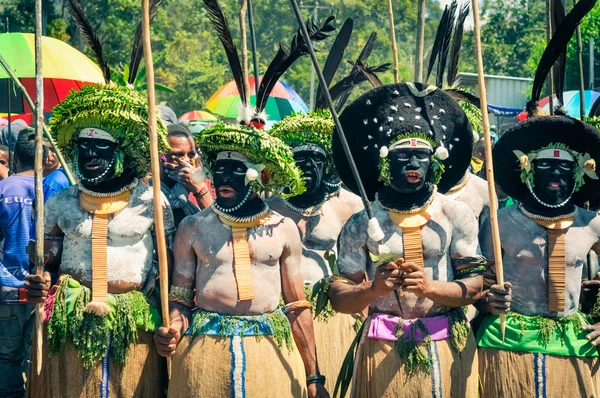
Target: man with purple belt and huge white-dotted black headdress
417,262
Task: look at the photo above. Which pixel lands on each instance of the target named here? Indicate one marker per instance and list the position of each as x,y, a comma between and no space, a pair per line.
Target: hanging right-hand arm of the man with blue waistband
293,291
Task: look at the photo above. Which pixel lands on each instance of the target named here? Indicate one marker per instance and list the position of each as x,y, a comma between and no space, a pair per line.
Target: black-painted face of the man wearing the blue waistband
229,180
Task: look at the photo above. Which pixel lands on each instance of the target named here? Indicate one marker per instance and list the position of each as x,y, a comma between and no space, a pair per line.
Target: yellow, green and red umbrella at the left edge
64,67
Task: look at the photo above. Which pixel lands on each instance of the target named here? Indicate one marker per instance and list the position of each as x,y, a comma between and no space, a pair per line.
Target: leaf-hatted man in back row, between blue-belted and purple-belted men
319,213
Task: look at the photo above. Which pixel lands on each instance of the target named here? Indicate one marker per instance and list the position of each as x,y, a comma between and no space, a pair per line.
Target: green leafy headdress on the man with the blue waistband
261,148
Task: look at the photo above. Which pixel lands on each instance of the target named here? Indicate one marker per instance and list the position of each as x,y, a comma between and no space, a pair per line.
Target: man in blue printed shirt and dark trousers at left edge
17,194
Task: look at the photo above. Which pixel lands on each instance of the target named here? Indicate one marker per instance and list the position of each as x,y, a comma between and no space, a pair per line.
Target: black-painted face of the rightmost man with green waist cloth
553,180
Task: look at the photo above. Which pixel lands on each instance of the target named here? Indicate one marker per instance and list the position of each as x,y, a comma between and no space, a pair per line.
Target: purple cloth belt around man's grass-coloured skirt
383,327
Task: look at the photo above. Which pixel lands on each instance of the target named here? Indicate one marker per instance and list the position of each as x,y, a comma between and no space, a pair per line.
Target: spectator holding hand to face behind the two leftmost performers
183,181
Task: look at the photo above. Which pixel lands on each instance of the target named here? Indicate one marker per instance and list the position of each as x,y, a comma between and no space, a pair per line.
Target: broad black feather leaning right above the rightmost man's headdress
564,32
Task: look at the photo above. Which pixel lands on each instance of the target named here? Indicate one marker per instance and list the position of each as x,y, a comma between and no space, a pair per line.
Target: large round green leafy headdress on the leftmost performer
120,111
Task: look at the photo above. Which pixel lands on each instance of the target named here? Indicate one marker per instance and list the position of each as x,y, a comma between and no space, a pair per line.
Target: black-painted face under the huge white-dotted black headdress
408,169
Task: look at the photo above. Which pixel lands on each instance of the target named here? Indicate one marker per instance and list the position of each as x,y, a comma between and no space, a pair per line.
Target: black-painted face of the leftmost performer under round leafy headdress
95,157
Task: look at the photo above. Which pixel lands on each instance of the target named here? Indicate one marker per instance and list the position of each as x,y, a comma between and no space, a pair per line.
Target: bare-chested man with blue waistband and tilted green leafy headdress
233,263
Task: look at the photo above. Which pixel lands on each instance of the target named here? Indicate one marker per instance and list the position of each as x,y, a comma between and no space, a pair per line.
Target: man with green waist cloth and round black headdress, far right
548,164
